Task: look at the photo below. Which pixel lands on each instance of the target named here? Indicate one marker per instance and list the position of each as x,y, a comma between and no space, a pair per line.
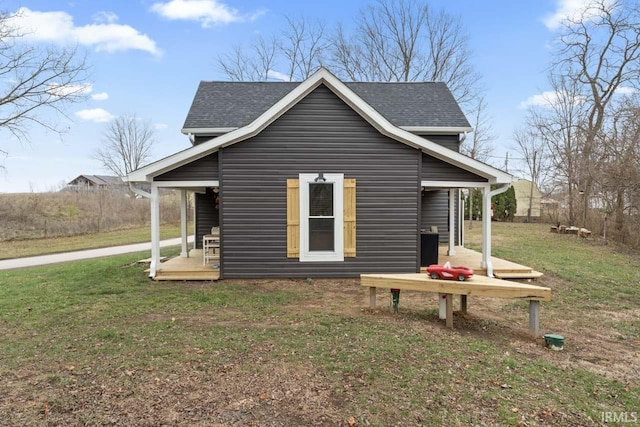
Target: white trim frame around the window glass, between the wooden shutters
338,214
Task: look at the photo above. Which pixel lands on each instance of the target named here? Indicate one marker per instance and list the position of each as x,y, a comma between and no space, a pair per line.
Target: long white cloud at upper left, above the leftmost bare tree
104,35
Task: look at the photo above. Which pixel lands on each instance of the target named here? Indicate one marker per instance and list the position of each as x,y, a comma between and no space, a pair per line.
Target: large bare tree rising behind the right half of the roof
405,40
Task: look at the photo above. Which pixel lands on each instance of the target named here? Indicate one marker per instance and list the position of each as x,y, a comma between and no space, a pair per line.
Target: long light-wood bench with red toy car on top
476,286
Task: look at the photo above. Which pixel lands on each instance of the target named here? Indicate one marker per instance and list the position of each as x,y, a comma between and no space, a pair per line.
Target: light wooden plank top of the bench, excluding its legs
478,286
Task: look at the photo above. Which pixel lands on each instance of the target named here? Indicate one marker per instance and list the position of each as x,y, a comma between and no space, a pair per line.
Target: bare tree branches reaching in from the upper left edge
34,79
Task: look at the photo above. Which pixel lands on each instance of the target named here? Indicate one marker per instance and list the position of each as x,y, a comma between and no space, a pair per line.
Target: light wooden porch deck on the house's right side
502,269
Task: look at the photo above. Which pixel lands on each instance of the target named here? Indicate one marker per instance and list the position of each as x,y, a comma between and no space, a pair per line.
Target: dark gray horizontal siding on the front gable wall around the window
319,134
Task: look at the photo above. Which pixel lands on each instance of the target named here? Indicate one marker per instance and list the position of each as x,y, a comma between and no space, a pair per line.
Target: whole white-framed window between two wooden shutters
321,217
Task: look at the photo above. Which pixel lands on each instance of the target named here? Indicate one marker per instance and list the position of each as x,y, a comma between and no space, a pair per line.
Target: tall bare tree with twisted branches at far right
599,50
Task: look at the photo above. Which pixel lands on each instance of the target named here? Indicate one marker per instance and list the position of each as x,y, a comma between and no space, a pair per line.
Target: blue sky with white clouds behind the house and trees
148,56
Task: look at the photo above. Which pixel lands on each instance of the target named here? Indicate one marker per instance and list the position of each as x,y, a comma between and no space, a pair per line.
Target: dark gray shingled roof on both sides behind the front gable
222,106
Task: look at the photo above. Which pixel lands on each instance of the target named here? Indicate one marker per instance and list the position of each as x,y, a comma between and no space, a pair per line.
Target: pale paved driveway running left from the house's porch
10,264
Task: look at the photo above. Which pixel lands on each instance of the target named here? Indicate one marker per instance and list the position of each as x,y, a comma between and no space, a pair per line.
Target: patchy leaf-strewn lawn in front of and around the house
96,343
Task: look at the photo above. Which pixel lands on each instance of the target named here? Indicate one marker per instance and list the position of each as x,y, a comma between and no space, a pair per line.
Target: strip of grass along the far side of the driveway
25,248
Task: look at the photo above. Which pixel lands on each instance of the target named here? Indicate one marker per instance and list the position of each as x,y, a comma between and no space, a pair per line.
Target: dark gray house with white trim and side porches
321,178
